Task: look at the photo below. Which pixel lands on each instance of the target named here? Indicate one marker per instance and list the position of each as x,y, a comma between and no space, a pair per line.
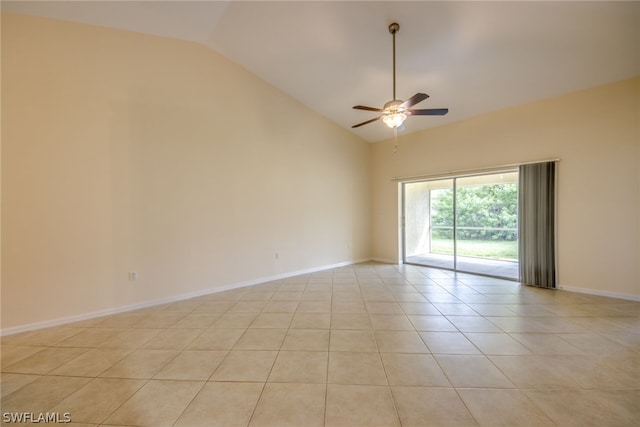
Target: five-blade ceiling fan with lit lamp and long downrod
396,111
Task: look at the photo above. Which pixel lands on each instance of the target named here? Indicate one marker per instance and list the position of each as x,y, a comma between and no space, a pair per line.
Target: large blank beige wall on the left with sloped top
125,152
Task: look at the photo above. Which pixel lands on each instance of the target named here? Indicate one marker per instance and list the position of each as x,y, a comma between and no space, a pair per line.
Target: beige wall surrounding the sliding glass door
595,133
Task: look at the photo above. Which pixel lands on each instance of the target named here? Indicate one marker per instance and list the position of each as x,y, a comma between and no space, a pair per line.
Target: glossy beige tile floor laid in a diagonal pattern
364,345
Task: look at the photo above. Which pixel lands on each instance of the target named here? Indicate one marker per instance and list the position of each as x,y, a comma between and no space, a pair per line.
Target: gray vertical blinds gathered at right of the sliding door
537,224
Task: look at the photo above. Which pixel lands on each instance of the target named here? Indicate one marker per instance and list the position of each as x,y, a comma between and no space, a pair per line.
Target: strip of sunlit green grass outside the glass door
495,249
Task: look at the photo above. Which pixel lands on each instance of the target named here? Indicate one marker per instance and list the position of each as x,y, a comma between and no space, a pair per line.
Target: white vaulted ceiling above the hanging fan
471,57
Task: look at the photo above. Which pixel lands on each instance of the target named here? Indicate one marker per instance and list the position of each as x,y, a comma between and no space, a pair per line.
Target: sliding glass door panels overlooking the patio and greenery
465,224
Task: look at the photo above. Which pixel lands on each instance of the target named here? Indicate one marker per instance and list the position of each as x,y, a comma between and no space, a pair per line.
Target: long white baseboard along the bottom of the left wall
151,303
